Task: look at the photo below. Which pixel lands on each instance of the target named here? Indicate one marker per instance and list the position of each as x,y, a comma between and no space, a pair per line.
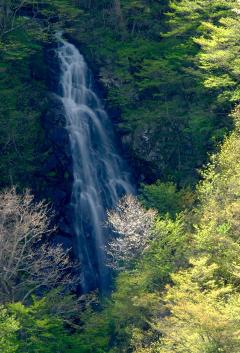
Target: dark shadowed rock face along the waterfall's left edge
57,168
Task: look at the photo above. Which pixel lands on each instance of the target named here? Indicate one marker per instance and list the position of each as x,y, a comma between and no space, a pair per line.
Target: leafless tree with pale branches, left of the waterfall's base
27,263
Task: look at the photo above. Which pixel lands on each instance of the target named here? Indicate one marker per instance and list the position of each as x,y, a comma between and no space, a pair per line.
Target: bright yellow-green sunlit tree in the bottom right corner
204,316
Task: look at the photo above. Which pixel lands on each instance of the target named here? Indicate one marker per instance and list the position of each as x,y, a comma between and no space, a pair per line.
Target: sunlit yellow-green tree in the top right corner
219,57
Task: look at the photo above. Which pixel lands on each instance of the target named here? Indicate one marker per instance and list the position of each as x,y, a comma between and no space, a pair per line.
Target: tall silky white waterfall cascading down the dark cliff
99,174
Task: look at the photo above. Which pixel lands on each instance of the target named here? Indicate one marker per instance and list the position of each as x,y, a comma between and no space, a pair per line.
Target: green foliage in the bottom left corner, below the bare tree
41,327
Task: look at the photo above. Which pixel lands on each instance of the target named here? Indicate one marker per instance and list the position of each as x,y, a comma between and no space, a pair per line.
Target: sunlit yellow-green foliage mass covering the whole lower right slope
184,290
